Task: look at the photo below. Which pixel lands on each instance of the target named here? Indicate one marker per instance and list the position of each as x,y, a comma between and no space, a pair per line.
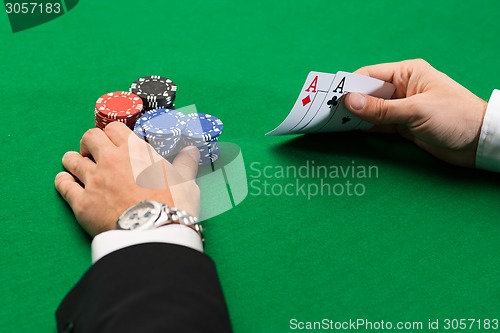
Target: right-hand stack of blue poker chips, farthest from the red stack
202,130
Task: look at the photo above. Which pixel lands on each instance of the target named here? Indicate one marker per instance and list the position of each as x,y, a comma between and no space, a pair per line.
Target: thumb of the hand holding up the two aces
378,111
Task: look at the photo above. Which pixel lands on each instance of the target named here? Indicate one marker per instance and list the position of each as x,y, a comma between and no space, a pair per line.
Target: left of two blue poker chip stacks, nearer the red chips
162,129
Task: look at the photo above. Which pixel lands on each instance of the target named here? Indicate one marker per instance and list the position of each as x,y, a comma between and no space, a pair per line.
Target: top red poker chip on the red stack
119,105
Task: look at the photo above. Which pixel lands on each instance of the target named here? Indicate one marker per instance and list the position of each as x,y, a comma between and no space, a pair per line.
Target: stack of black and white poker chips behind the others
155,92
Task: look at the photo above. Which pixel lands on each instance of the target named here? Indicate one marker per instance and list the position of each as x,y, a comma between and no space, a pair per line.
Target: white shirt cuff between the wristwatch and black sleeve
114,240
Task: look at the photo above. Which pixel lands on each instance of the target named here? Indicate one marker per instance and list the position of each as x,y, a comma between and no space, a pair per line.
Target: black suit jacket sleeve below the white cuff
145,288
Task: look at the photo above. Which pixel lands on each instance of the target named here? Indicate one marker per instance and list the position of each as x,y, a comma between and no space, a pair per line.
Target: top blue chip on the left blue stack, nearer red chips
159,123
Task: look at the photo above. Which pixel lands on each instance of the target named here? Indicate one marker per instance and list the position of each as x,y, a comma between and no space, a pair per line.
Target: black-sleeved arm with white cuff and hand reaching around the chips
141,281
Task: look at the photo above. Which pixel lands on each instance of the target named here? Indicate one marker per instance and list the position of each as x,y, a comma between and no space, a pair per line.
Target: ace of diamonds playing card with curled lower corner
311,97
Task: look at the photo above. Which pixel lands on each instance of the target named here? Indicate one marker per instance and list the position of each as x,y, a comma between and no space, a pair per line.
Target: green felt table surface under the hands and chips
420,243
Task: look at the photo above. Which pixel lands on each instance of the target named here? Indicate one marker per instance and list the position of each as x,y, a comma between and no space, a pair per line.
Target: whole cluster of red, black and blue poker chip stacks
148,108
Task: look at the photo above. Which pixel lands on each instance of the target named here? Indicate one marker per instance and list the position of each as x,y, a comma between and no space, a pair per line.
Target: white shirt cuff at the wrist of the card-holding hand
488,149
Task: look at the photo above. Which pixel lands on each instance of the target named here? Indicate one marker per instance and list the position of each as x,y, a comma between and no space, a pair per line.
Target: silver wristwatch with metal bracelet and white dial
147,215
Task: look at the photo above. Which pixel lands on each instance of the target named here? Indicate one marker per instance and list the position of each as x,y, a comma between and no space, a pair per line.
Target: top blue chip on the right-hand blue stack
202,126
